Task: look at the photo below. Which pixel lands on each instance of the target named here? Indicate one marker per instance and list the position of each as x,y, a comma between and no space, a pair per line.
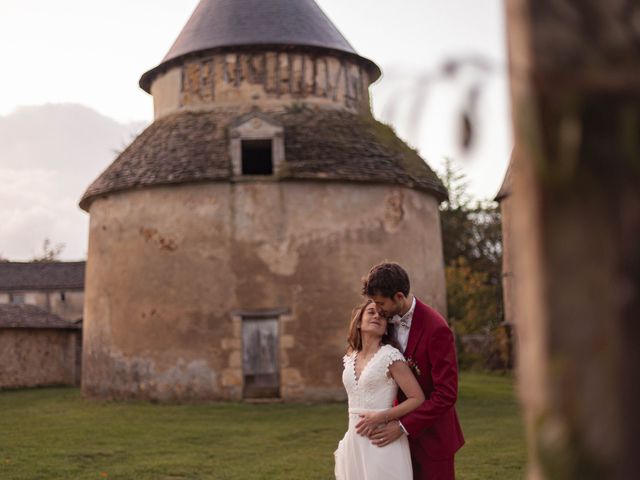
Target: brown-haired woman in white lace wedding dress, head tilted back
373,371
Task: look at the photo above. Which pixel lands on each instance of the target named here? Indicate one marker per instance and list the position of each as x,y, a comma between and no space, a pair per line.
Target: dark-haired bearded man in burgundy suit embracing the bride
426,340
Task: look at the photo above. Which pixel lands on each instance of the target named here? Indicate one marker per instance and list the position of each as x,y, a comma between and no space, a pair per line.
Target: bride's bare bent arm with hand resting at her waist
403,376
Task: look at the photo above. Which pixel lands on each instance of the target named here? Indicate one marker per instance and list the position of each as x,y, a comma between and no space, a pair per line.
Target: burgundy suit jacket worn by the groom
434,429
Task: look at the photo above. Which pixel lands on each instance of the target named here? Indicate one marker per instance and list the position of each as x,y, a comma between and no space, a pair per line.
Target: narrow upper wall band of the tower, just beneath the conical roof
266,80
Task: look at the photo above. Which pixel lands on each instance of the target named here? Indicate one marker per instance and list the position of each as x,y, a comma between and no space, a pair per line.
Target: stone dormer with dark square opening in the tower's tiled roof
256,146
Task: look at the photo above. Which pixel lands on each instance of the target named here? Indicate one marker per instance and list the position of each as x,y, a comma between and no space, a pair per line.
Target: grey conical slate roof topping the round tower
217,24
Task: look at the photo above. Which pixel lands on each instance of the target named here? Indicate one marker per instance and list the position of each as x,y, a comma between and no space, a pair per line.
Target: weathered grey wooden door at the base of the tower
260,358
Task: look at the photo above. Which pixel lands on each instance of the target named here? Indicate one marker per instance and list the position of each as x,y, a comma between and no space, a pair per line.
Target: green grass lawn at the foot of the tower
54,434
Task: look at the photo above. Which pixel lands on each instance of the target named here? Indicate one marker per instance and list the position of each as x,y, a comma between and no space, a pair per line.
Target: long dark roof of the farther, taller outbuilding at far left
41,276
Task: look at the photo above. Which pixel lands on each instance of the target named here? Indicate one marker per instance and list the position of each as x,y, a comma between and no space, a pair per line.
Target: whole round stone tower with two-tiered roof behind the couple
227,241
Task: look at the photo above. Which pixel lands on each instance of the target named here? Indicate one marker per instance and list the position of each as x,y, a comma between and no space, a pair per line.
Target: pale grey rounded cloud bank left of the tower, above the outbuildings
49,154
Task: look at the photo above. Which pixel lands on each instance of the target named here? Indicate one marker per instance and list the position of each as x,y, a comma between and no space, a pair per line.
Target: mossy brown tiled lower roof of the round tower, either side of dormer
319,145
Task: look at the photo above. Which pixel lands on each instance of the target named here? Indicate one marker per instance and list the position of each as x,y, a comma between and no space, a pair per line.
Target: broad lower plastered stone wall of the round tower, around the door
171,269
